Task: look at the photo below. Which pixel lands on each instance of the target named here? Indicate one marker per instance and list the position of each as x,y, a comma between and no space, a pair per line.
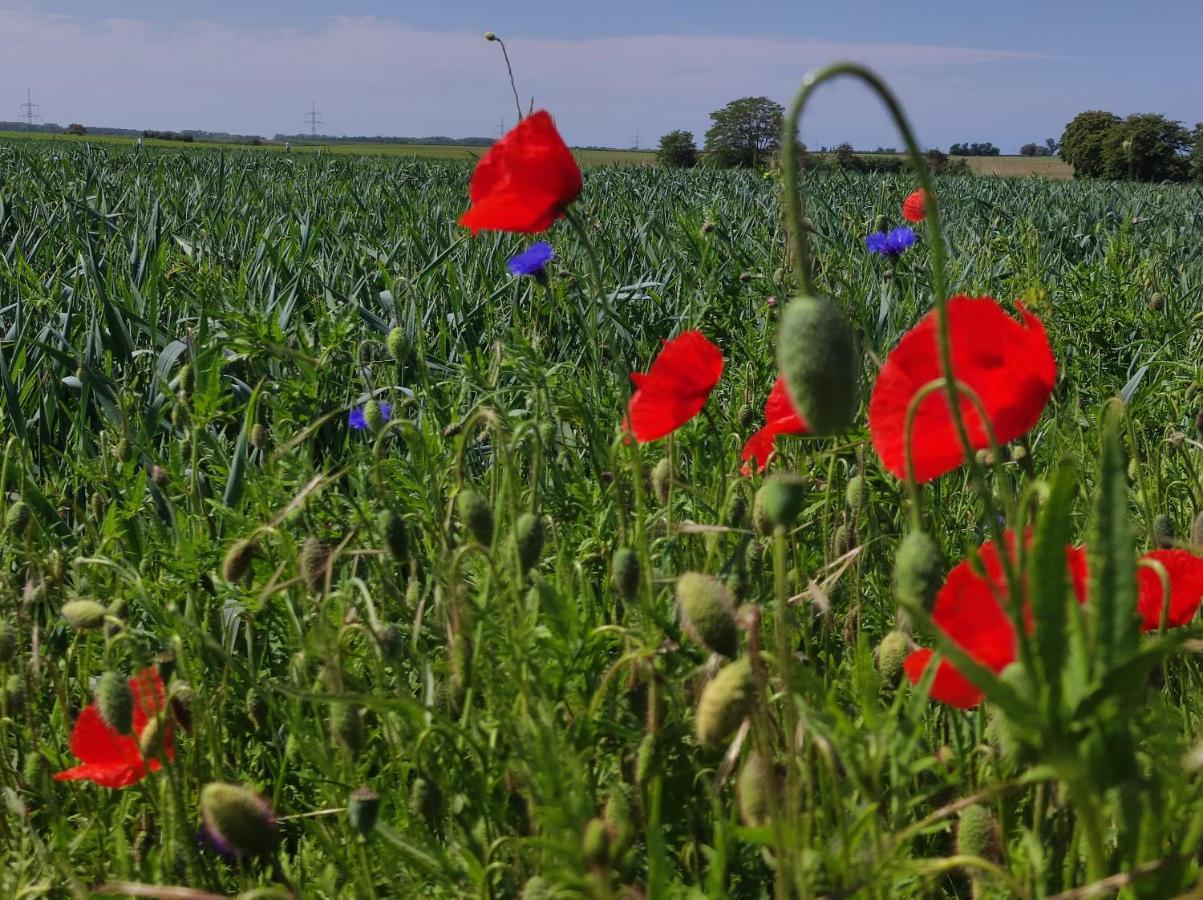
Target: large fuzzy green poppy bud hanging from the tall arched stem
817,356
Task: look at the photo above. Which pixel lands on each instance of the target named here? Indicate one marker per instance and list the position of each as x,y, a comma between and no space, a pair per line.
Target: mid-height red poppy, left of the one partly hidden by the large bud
675,388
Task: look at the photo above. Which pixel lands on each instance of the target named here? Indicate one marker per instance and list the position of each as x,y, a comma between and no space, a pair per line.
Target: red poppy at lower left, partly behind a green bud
114,760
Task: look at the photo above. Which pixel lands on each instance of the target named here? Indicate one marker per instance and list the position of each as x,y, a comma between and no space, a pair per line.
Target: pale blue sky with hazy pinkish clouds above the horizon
967,72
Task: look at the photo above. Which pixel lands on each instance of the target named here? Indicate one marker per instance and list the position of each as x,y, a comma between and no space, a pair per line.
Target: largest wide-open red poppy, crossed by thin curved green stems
1009,365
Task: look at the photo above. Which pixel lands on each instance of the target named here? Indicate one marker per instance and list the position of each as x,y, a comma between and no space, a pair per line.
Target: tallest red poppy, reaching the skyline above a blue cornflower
525,182
